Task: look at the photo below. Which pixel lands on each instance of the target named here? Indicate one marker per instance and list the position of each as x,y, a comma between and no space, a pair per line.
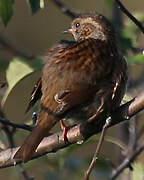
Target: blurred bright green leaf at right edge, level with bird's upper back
139,59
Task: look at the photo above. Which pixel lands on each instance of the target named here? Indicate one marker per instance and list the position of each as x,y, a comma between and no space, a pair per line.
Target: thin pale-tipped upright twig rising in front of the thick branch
98,148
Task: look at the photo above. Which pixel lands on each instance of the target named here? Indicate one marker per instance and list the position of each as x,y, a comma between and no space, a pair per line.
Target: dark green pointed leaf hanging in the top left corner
6,10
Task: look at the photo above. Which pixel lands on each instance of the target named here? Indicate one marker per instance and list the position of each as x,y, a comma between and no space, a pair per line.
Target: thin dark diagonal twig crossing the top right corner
125,11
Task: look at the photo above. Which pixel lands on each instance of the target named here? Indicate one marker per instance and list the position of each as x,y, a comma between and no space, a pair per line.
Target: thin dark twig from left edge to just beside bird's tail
15,125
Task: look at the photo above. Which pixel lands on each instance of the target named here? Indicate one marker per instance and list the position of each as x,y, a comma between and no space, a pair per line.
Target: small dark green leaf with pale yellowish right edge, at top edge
36,5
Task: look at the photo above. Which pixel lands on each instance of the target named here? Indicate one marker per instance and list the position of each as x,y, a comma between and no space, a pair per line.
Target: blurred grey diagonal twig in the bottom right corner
127,161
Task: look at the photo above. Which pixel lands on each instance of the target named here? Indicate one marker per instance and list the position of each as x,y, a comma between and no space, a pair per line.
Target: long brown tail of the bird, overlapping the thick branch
30,144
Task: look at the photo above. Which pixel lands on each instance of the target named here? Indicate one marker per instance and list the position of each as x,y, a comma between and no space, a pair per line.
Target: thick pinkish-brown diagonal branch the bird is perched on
78,133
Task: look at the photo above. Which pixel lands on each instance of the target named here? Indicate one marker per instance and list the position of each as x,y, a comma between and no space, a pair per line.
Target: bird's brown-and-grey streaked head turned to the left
91,25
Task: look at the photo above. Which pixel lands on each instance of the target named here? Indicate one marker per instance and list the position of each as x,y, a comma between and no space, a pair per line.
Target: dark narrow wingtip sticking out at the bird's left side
35,95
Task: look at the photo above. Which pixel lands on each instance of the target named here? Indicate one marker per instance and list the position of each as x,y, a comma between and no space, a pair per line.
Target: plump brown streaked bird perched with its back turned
80,79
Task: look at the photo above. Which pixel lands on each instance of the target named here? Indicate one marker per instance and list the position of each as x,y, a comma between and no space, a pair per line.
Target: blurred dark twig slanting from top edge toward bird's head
64,8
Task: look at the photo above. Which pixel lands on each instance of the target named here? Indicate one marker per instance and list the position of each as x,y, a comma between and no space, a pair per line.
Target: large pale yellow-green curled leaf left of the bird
18,69
